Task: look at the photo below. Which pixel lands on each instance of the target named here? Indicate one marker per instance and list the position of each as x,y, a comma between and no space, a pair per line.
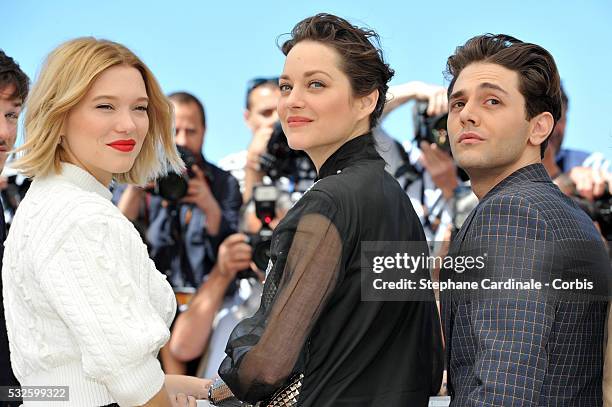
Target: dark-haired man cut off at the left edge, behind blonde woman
14,86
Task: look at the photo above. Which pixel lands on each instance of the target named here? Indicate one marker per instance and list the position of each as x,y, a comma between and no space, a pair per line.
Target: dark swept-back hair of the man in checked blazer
539,81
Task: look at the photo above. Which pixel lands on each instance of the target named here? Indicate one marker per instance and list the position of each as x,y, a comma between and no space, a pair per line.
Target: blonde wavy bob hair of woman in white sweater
67,74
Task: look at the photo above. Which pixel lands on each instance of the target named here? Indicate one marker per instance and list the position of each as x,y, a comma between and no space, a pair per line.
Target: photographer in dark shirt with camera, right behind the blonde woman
184,234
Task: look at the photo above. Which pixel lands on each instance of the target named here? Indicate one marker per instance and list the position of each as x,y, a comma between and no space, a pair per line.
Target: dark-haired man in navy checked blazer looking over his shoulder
518,346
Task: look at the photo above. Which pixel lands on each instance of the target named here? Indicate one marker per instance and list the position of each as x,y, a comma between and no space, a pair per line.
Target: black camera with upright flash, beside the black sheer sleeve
265,197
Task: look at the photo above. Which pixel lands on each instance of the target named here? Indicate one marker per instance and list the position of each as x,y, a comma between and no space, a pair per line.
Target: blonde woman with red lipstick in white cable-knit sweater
85,306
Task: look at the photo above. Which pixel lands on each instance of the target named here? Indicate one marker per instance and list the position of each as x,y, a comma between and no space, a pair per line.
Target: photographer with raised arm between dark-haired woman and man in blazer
427,170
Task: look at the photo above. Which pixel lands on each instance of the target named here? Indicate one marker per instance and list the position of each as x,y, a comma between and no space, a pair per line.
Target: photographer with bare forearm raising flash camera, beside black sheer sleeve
204,328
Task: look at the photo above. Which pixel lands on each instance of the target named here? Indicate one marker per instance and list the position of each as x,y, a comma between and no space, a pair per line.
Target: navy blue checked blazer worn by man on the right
527,348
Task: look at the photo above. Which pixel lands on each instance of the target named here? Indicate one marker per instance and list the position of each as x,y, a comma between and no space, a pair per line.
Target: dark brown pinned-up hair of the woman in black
359,49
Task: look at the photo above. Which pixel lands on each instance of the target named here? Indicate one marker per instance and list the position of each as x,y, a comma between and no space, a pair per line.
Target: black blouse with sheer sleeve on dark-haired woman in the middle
312,320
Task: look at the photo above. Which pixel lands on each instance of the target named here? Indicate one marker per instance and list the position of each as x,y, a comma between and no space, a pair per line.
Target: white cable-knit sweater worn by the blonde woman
85,306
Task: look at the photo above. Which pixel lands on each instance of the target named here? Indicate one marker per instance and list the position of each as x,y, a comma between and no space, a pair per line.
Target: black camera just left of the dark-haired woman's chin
280,160
